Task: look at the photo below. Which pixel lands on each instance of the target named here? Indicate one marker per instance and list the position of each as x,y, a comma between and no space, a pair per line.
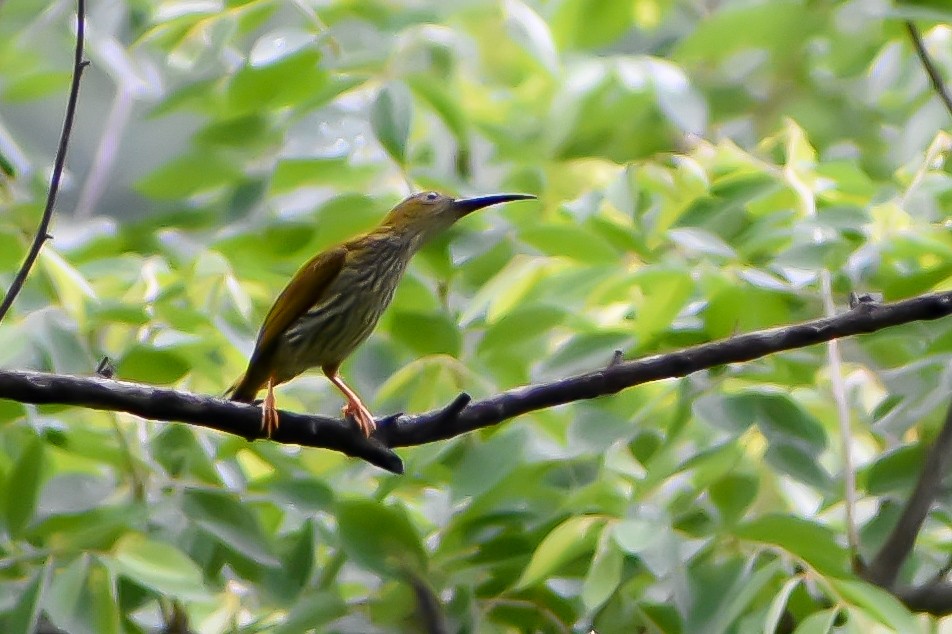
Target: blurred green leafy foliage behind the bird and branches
703,168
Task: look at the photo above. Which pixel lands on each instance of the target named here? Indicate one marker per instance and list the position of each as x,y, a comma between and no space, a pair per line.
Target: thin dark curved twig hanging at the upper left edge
42,232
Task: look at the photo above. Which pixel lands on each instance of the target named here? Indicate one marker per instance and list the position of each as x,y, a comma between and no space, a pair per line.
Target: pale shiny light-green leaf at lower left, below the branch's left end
158,566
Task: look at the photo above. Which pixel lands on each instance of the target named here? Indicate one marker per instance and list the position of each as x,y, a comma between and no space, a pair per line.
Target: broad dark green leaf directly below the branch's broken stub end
379,538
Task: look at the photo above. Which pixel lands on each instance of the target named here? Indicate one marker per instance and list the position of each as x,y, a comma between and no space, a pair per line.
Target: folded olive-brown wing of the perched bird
305,289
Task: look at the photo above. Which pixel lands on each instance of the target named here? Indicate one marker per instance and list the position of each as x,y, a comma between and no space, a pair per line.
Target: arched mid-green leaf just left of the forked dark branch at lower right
812,543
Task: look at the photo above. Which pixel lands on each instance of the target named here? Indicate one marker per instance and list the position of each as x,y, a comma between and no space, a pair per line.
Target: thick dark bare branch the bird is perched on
460,416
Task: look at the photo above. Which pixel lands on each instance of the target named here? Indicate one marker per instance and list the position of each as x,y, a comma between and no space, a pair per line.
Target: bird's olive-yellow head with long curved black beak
428,213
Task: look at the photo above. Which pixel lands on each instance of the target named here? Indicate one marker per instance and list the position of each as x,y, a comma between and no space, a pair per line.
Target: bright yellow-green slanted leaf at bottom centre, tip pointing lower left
569,540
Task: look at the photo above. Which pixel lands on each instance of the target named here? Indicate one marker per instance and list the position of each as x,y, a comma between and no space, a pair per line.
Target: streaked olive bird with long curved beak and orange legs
333,303
